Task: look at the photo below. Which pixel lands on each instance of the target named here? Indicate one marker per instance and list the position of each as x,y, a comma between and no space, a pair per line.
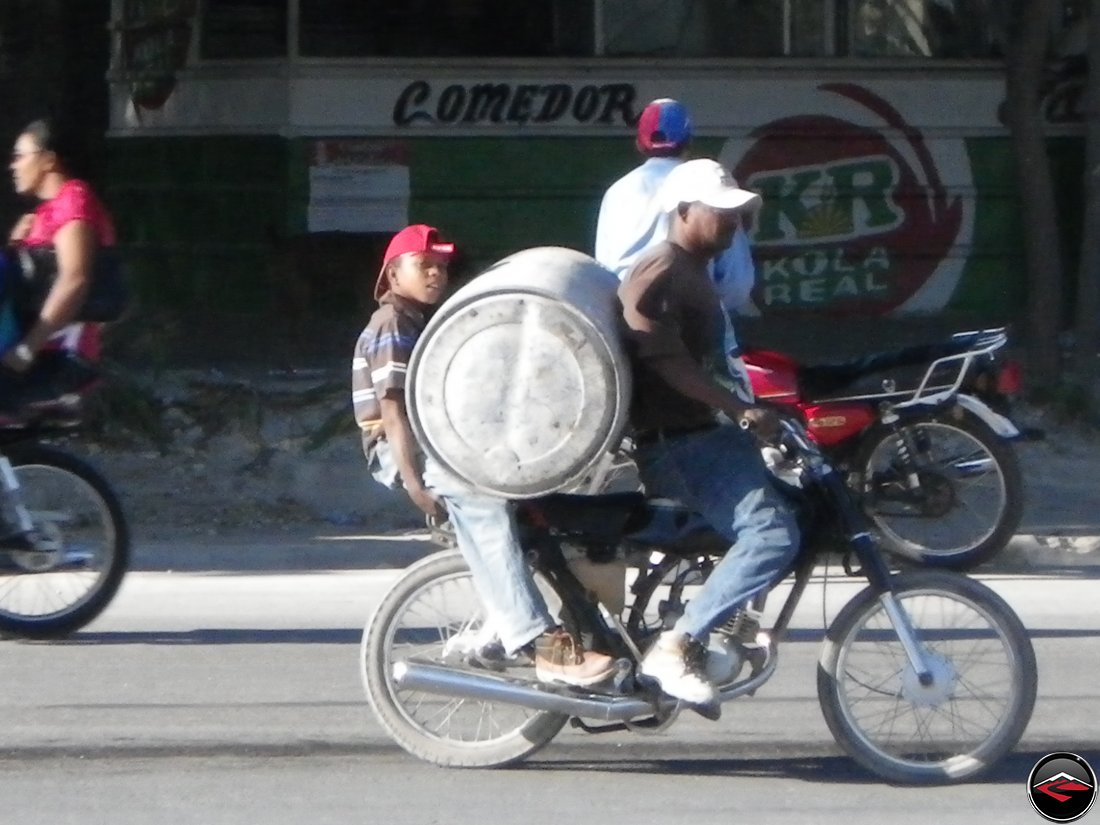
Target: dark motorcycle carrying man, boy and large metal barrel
925,677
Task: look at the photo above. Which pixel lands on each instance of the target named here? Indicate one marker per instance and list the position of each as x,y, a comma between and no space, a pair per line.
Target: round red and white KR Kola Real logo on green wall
857,217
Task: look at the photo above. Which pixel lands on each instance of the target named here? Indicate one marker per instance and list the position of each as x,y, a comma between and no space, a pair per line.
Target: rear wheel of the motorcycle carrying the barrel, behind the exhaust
433,607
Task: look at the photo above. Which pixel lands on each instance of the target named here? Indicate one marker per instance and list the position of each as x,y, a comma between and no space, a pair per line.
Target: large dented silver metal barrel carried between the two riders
520,383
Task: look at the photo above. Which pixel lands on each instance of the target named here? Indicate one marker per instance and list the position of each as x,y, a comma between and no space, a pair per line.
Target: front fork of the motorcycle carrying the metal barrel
875,568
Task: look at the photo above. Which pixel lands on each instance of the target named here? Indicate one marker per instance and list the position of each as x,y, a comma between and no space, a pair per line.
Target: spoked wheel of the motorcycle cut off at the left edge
83,554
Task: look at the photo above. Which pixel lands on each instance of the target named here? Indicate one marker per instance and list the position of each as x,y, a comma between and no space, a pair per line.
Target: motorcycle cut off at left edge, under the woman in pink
75,549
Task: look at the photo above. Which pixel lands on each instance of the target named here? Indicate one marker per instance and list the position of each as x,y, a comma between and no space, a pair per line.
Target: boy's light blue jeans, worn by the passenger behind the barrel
486,530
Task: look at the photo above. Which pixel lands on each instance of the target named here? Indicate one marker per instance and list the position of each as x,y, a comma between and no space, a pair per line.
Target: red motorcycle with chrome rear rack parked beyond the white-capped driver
923,437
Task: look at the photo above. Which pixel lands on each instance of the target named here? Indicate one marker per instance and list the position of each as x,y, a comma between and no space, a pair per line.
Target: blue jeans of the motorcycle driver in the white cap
720,474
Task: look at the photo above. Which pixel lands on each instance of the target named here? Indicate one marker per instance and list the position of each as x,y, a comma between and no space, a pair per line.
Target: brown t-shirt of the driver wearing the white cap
672,314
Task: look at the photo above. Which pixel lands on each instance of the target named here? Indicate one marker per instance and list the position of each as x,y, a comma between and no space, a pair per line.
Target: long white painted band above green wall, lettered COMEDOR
316,101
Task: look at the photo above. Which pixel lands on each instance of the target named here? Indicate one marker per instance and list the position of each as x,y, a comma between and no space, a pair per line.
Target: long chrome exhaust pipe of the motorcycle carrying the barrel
485,687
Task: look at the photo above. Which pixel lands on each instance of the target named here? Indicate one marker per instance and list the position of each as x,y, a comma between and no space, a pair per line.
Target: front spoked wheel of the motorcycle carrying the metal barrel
973,711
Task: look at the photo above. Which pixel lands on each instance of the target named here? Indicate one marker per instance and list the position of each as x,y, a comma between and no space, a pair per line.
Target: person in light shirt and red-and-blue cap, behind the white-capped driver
632,219
